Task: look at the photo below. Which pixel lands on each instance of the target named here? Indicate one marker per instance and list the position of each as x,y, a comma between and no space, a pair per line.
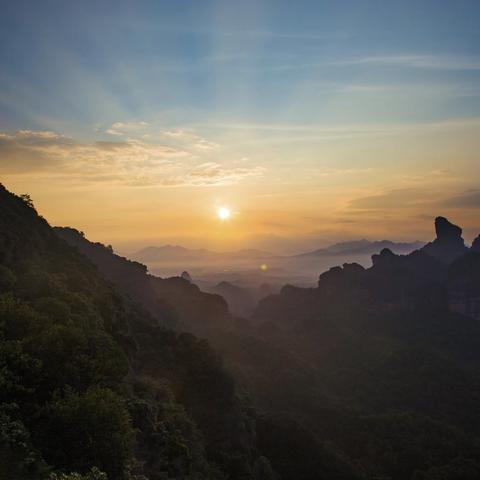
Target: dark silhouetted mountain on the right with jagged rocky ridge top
390,360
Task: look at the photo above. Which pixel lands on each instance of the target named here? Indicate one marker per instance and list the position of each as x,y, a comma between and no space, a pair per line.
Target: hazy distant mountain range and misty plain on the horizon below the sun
250,268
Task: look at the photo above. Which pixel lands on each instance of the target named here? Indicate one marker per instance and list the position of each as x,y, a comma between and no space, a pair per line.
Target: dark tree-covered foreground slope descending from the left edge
88,379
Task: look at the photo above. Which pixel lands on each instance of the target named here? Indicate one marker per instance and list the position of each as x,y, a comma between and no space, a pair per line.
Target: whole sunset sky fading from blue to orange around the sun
312,121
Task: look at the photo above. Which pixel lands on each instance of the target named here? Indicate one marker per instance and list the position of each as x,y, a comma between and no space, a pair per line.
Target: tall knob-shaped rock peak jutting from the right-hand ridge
449,244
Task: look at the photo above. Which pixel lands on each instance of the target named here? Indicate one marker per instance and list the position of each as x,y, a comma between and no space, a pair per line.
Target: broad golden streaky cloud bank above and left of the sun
129,162
